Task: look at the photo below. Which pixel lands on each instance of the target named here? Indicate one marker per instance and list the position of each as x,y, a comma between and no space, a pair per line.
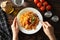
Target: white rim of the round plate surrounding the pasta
38,26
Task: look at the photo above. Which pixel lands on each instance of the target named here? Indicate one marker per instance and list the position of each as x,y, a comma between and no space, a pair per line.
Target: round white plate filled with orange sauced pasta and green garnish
29,20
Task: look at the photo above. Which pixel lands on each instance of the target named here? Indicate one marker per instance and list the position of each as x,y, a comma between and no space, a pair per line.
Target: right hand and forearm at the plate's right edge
49,31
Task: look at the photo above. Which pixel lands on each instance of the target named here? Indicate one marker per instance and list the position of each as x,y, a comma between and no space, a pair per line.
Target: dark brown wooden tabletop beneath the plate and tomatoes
40,35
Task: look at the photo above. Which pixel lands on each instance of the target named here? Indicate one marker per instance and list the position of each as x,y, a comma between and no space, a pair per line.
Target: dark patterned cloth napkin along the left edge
4,30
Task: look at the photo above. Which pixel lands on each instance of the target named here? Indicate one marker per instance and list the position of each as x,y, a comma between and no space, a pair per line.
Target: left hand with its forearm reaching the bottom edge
15,30
